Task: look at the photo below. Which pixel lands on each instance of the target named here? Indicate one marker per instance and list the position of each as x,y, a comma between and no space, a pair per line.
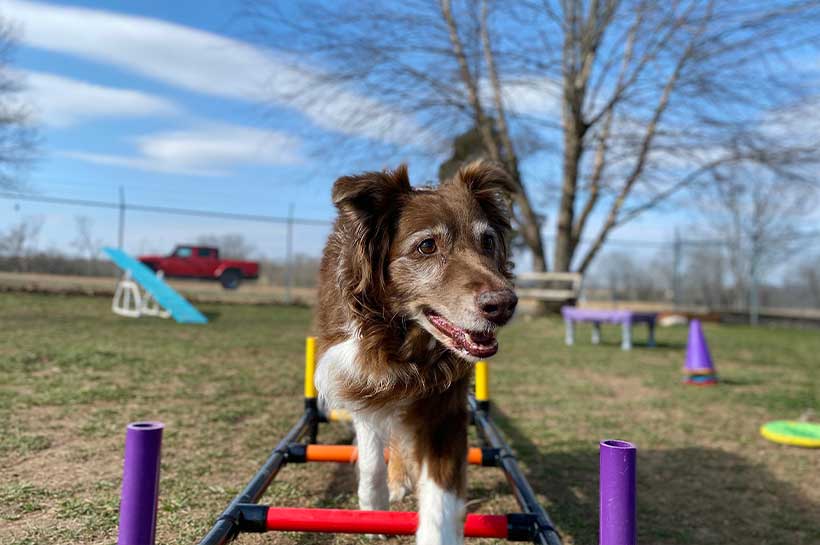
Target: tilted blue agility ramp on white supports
133,304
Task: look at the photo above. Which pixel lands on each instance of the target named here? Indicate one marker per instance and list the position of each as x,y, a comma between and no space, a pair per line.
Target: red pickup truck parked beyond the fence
202,262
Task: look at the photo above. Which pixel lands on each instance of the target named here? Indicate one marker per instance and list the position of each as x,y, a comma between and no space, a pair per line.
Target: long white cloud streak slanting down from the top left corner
205,63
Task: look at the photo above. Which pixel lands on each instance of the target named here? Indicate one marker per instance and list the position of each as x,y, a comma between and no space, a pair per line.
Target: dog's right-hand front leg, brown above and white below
441,451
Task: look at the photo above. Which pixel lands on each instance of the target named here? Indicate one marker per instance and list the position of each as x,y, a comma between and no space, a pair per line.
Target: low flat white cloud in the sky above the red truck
207,151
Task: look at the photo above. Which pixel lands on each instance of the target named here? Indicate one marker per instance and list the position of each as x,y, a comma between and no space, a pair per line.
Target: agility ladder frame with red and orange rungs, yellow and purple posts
245,515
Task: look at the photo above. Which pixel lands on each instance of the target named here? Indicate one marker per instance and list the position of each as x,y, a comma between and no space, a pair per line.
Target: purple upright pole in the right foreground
617,523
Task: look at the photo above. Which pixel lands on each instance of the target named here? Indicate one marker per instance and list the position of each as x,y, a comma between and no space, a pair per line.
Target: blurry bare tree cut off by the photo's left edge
17,134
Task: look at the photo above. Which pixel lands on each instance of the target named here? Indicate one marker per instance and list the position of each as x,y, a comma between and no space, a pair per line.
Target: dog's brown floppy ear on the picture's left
369,203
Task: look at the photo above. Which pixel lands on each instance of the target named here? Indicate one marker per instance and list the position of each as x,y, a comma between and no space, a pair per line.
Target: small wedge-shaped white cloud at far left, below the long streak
61,102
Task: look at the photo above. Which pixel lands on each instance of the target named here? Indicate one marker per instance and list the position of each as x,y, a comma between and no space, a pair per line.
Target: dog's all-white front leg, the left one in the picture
371,438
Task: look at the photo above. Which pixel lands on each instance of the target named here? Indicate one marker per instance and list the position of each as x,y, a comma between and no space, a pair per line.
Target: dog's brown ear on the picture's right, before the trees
492,187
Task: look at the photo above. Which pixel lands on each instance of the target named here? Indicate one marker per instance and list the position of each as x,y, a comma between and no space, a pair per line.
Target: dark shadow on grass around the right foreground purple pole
687,495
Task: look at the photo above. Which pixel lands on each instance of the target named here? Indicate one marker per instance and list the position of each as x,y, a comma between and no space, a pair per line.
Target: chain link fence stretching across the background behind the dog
682,272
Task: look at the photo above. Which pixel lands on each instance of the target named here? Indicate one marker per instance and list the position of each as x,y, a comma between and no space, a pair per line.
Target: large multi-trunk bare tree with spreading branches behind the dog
634,99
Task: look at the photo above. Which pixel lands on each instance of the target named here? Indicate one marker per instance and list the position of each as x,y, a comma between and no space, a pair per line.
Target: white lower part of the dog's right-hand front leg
441,514
